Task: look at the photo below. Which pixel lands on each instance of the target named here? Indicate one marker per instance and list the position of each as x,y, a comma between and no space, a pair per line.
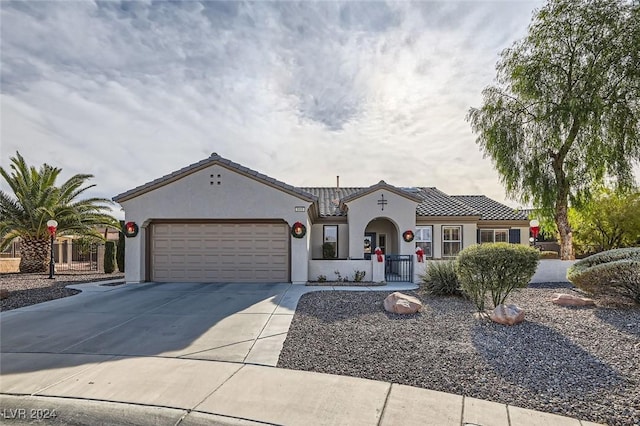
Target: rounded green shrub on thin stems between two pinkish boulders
495,270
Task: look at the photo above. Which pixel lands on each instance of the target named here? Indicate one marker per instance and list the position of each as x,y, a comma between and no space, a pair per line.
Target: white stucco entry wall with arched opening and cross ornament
399,210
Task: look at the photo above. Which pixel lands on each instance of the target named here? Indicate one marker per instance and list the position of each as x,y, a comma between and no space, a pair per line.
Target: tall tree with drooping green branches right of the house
565,112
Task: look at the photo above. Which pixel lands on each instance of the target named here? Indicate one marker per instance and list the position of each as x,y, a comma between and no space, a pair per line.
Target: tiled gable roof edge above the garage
214,159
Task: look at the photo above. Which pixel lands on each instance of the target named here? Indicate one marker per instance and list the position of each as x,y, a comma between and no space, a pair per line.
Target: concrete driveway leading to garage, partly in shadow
244,323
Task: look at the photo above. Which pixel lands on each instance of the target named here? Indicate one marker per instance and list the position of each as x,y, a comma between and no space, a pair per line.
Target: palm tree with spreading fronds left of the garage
35,200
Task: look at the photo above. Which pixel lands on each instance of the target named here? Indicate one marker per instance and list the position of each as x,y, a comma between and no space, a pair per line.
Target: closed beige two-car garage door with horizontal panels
219,252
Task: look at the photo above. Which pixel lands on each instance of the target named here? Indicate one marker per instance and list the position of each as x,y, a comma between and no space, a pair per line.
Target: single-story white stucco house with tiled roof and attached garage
218,221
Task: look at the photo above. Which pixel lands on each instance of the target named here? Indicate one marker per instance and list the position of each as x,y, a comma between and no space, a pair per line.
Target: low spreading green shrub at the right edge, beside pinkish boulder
613,272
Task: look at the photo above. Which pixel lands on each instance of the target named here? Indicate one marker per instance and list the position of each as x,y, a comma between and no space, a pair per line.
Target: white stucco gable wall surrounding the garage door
199,196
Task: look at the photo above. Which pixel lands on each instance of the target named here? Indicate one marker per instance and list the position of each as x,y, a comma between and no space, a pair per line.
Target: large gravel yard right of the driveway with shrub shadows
577,362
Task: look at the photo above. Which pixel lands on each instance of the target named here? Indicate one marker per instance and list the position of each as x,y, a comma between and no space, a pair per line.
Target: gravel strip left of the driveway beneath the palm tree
29,289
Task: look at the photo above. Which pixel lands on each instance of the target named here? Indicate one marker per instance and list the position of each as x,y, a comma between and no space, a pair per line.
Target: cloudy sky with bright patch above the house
130,91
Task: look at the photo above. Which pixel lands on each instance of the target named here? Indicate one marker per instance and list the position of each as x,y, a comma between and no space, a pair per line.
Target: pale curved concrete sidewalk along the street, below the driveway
171,391
